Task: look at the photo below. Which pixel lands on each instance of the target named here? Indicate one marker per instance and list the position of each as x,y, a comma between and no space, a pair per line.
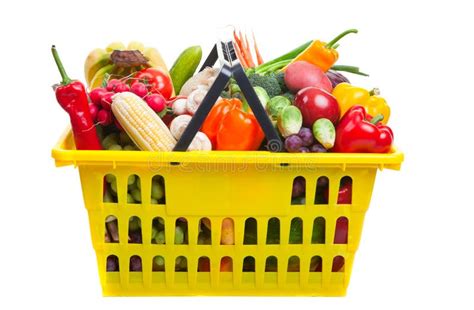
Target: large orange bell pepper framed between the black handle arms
231,129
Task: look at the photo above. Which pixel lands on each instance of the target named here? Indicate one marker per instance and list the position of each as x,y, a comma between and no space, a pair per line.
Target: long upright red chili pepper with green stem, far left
72,97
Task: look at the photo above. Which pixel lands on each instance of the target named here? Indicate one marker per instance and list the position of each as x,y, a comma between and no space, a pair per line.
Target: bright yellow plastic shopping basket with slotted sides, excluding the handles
219,185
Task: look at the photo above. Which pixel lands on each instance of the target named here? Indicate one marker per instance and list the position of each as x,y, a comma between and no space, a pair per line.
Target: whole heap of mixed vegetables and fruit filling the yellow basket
134,103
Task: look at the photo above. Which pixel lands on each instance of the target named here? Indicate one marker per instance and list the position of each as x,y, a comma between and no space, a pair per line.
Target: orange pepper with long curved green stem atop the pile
321,54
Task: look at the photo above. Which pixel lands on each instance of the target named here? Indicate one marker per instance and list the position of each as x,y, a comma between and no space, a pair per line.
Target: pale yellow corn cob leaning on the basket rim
141,123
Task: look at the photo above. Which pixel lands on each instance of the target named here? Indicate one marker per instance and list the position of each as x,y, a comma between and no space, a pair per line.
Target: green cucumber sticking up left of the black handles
185,66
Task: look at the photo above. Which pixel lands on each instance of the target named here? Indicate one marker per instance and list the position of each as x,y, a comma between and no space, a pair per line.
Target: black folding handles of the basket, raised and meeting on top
230,67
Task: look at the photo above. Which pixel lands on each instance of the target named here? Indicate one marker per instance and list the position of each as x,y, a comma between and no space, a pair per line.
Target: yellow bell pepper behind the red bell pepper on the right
348,96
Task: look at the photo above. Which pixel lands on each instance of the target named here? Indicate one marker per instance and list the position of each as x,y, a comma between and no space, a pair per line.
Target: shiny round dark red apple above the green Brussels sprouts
315,103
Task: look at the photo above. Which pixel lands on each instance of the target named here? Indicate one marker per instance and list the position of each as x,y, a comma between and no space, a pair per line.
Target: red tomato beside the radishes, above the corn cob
157,81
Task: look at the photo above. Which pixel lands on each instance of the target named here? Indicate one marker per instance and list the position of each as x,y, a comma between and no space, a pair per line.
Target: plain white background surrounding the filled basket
416,248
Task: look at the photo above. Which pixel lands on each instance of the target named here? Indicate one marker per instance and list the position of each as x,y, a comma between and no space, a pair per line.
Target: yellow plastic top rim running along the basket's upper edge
65,154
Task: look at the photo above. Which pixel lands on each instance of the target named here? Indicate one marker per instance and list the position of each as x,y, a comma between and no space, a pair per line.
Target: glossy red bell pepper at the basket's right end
357,133
